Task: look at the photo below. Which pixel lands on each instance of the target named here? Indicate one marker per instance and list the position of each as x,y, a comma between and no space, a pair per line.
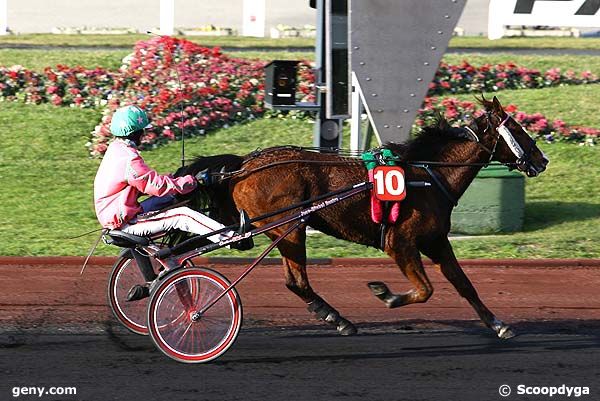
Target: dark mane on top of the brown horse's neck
427,144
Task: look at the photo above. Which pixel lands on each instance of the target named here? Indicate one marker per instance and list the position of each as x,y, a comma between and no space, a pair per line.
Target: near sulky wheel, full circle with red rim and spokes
172,321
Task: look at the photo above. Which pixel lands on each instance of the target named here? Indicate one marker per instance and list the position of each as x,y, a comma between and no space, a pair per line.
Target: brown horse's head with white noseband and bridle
510,143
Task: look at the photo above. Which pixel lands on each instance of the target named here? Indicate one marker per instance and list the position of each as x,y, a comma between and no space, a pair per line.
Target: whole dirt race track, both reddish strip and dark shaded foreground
56,329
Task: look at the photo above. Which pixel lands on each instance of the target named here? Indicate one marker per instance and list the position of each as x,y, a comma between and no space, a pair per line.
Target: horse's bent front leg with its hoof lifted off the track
408,259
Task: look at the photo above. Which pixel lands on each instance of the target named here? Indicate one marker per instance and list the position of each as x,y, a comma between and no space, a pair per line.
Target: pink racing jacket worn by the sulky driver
123,177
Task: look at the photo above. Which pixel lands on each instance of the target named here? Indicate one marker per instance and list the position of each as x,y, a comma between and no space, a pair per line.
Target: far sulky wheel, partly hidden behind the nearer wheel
124,274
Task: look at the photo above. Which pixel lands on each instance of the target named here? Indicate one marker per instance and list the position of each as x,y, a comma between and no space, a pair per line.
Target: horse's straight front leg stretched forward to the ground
441,253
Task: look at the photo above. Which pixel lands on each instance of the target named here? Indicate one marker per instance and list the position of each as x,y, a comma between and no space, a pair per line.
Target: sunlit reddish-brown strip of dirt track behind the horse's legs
37,292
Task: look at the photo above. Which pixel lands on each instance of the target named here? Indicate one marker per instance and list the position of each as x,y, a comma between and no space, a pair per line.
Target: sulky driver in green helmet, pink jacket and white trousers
123,177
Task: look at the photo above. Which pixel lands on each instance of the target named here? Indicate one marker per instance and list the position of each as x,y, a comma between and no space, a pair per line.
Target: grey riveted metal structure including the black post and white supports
377,56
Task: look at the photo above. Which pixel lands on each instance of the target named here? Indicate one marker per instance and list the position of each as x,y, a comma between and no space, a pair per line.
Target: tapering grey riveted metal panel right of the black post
395,47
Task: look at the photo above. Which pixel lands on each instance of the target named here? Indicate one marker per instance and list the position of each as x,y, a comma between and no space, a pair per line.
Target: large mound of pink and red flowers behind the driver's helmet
184,86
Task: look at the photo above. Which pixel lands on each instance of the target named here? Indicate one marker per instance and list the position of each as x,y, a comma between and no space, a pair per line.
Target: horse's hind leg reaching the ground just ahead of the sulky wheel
293,251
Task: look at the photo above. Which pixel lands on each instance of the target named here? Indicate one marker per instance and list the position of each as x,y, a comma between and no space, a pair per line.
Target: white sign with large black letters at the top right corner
557,13
